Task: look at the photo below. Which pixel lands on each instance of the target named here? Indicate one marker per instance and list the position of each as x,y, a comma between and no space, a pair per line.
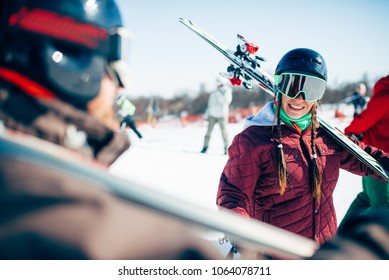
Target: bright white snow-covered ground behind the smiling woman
168,159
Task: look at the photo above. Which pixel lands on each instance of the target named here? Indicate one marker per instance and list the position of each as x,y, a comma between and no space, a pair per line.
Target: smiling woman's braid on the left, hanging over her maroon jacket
281,163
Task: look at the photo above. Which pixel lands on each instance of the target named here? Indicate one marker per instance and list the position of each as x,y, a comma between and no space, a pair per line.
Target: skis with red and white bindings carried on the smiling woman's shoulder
244,68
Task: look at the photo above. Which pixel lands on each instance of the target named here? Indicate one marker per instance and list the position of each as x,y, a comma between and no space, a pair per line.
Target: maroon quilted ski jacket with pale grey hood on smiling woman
248,184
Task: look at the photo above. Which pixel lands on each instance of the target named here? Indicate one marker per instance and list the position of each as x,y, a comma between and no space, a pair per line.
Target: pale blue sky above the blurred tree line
168,59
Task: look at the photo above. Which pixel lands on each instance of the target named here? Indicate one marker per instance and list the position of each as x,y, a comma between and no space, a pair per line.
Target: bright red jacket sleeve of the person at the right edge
375,110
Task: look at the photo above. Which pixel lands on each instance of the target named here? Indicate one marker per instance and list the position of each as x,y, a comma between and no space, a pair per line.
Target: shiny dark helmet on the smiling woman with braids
303,61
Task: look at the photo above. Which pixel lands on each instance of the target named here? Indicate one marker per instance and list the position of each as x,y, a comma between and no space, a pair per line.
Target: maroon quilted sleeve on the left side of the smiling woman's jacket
239,177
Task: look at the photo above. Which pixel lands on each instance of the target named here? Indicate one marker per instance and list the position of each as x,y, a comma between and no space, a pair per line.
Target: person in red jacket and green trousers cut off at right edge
373,125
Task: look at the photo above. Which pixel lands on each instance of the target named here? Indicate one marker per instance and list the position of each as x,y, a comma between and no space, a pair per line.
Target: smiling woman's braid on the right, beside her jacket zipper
316,178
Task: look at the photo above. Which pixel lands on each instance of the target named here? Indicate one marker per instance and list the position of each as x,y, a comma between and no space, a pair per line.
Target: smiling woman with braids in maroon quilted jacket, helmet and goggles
283,168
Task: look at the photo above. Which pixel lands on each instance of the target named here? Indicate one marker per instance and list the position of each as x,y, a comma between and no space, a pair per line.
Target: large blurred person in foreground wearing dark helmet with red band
61,65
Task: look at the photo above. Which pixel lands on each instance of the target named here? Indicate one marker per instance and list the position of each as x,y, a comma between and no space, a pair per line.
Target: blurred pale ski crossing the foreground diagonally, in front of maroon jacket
250,234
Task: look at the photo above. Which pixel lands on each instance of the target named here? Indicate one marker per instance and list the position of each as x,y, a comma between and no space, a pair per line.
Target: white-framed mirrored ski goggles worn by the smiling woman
292,85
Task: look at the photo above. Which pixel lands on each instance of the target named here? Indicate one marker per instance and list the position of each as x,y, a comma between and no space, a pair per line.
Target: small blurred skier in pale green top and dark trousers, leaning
126,112
